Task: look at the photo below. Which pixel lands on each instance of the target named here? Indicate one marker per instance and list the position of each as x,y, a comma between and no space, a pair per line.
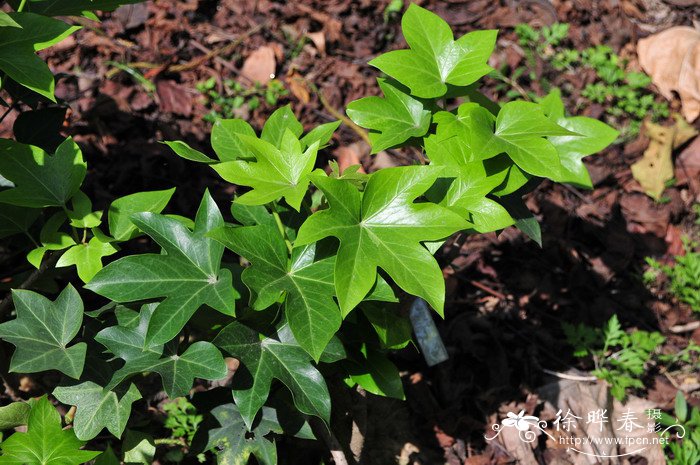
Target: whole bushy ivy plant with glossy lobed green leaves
300,283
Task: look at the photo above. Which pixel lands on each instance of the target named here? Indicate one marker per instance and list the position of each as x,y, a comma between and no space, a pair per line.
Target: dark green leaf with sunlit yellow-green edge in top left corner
18,47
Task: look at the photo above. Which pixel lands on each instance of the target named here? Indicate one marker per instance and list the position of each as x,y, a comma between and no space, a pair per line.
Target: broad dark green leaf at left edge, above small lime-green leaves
41,180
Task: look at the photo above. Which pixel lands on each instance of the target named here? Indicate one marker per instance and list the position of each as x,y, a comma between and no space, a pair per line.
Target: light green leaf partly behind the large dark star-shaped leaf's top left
120,225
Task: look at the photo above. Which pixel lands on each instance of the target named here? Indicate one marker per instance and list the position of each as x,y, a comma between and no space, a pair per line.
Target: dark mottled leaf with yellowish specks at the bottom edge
234,444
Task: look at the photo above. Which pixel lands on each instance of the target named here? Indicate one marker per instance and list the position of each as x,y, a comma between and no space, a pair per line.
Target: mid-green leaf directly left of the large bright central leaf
311,312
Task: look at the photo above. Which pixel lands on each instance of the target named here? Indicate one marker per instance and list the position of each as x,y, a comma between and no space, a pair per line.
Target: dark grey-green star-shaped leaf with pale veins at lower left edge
42,332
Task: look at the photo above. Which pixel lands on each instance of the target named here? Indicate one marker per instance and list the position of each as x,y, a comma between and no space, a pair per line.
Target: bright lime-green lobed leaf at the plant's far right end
592,137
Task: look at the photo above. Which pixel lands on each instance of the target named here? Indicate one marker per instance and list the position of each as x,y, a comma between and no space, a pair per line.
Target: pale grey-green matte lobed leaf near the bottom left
97,408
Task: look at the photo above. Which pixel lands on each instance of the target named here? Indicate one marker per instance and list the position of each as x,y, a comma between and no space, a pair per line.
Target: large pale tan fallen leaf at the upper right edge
672,59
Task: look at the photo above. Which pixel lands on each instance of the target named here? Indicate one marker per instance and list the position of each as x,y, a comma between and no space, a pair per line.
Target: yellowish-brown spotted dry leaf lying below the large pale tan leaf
655,168
